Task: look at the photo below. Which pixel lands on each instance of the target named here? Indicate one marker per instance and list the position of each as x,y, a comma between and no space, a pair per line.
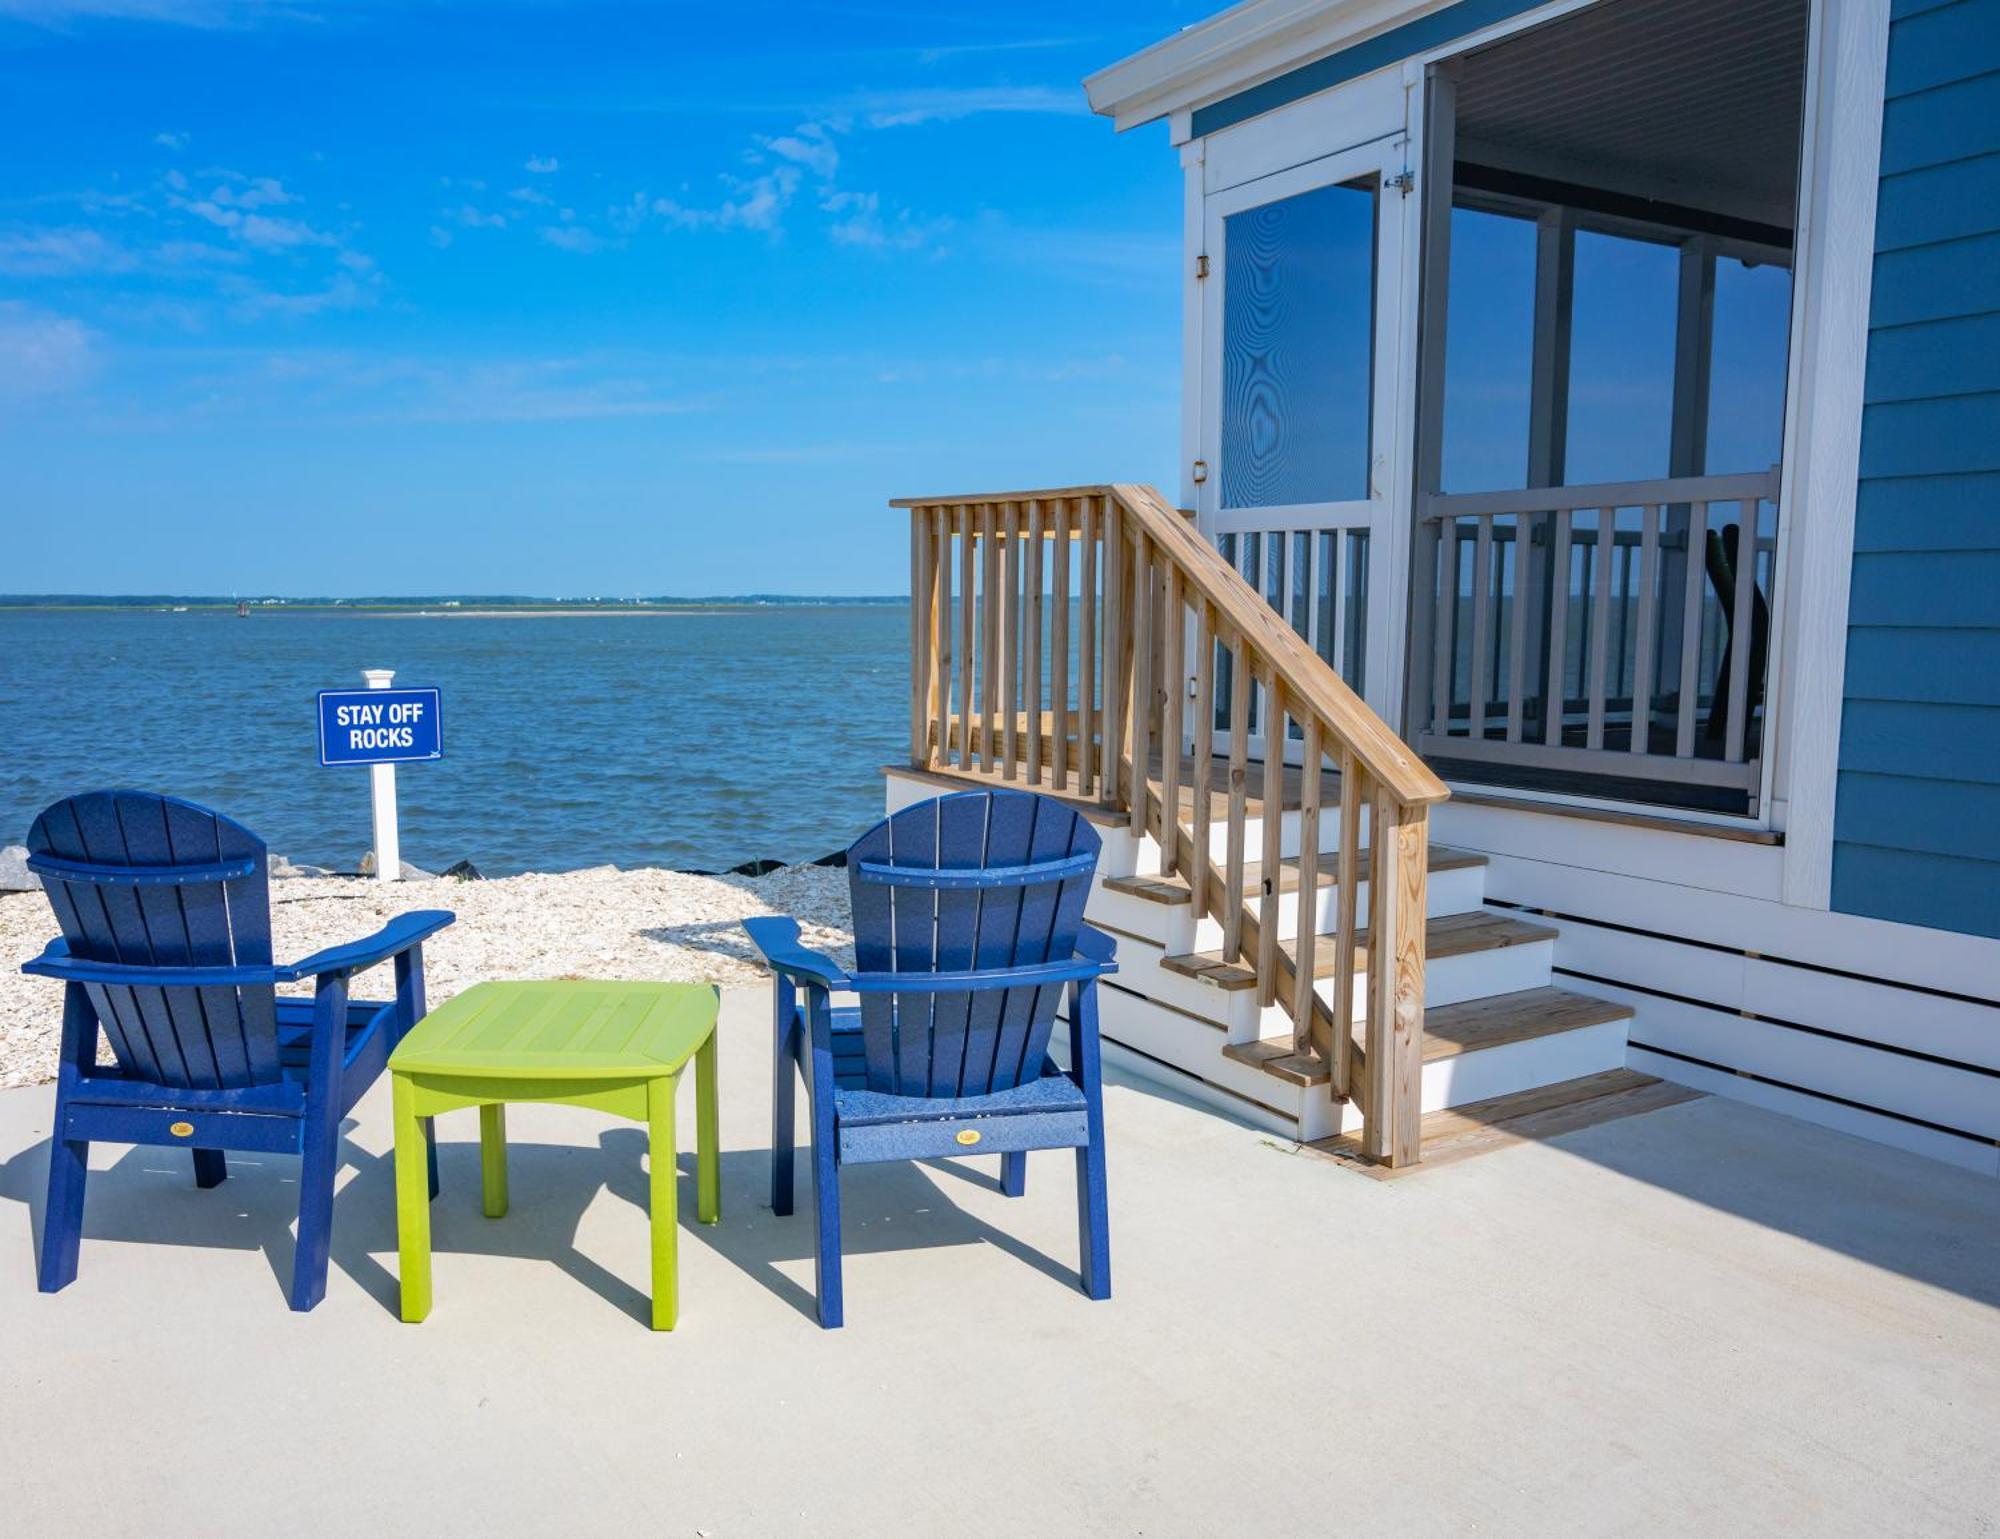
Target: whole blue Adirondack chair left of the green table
165,914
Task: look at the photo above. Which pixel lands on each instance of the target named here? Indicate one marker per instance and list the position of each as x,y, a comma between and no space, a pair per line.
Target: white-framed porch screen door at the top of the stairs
1299,407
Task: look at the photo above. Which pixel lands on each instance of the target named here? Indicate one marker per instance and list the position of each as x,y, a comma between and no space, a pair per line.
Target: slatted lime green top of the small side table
563,1030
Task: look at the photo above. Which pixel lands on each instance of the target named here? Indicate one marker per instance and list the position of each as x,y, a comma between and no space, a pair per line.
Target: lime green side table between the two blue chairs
617,1048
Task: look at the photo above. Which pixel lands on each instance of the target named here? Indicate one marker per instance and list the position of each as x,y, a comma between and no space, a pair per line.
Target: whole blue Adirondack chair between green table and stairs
969,926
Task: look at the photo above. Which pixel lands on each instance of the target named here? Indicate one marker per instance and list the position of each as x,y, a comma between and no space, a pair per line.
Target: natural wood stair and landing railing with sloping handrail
1075,641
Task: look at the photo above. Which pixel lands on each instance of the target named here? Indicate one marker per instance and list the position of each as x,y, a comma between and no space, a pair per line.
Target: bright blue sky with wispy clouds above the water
563,299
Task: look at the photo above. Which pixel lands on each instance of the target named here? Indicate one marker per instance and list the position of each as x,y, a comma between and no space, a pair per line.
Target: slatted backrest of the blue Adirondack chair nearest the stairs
967,882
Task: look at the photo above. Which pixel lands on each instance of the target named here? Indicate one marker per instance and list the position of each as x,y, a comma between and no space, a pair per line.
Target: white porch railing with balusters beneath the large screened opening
1603,633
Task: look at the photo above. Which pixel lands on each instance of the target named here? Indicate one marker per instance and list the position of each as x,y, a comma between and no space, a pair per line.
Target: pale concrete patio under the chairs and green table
1707,1320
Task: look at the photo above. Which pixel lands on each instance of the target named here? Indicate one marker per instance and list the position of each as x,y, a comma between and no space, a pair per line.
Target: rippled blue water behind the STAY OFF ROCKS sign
677,741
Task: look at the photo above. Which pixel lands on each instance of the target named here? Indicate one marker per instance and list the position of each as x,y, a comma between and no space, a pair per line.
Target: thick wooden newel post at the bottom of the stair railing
1397,882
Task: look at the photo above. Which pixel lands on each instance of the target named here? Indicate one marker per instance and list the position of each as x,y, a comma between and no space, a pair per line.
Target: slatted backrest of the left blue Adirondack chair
151,880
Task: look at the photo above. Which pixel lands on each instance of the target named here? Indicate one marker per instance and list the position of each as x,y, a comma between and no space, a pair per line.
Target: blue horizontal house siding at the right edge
1917,826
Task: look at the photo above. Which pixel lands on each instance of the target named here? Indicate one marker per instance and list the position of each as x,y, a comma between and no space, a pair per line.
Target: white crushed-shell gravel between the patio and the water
575,924
